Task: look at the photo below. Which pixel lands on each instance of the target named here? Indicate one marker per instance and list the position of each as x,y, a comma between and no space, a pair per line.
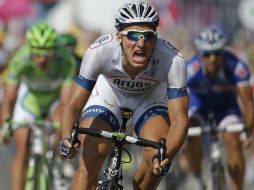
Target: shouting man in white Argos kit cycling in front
134,69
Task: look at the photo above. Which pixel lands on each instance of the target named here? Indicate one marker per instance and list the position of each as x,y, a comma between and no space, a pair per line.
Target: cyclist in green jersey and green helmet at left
39,73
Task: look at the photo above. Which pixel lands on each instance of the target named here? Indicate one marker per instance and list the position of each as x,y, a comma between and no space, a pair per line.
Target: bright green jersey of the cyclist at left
43,84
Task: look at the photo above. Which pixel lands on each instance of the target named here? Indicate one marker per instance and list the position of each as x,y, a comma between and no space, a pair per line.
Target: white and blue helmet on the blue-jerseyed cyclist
210,39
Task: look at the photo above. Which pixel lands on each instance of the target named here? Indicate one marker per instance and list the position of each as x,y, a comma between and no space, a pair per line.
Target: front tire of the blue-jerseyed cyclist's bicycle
218,177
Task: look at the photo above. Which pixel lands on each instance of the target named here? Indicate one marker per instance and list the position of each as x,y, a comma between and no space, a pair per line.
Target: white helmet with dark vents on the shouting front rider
136,13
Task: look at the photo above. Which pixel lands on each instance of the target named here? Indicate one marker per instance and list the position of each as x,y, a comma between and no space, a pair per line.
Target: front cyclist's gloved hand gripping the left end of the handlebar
68,151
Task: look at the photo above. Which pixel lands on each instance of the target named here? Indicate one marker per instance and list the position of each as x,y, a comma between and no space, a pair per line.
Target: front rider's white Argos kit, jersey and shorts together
163,79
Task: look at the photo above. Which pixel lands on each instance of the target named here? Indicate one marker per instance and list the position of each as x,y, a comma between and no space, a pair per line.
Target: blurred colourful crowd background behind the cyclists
181,21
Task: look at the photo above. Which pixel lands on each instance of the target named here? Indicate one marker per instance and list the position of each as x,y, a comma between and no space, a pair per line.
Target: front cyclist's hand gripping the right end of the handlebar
163,168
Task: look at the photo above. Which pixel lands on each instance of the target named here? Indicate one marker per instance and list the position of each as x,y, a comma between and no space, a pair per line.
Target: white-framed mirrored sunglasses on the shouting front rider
135,35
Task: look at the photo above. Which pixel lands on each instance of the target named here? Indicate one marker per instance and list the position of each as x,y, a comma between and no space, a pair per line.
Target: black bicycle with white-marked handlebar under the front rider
112,175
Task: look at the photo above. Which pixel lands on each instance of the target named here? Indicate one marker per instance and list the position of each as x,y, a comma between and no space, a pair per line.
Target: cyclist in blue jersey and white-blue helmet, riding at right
216,80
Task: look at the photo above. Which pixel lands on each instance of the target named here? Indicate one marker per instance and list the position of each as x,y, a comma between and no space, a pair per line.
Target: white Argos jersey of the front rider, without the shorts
105,57
